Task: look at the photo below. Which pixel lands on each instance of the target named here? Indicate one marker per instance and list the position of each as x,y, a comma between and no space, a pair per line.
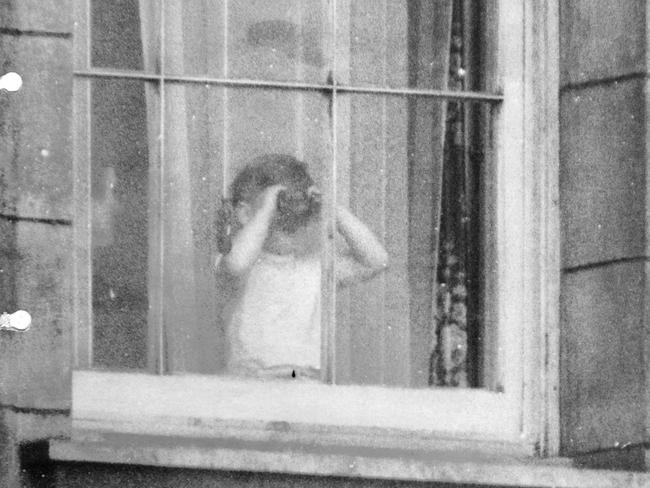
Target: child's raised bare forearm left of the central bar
247,243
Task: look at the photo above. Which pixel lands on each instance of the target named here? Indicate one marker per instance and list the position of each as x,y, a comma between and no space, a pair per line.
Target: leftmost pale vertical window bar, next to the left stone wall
82,262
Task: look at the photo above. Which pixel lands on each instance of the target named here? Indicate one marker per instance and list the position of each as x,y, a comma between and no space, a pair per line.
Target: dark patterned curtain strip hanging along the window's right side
450,346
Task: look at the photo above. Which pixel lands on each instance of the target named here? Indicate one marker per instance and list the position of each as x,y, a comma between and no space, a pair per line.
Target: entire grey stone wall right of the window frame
604,212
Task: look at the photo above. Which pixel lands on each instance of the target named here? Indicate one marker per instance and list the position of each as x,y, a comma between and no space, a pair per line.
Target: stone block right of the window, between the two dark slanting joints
602,173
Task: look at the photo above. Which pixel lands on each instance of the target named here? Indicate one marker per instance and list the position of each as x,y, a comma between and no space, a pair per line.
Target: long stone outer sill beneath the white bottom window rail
369,463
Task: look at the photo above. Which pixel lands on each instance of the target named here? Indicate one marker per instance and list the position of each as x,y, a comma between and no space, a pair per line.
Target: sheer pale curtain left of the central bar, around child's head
209,132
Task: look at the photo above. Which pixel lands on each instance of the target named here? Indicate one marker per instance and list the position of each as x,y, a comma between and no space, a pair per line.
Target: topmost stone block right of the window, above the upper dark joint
601,39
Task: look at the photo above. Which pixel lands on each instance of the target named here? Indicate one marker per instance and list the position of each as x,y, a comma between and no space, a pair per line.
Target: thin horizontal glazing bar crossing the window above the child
443,94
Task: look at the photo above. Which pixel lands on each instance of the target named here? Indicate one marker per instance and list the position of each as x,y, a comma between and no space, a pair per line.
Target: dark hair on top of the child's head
268,170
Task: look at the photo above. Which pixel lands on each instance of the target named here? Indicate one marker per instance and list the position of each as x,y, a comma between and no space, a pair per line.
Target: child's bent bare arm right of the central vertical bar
367,256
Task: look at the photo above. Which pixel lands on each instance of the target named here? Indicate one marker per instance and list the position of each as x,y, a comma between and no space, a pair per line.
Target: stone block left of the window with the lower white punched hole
37,362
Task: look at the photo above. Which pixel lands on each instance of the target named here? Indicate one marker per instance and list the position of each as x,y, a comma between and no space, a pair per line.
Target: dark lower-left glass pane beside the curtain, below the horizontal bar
119,194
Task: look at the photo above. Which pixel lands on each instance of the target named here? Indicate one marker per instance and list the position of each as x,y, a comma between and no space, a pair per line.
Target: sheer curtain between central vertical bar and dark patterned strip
391,152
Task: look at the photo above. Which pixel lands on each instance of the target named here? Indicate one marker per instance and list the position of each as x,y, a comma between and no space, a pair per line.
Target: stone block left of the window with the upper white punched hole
35,128
